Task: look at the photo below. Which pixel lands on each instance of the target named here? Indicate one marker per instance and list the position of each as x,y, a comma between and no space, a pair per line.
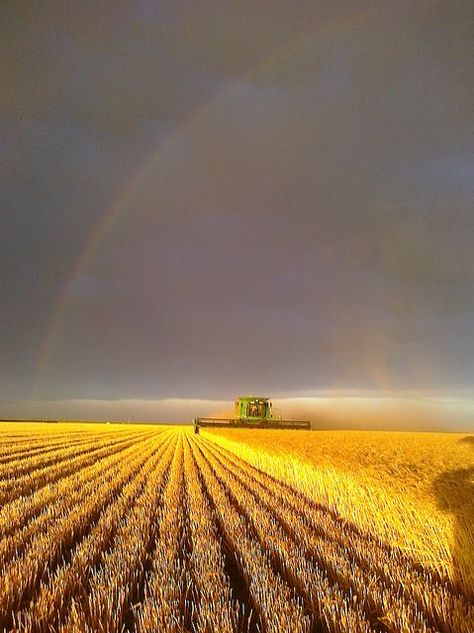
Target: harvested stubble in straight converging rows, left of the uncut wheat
164,531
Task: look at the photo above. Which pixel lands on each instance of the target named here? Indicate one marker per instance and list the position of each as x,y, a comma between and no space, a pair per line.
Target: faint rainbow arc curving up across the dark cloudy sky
120,205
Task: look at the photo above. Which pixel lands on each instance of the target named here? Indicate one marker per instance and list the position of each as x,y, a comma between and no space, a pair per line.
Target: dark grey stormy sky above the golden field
199,200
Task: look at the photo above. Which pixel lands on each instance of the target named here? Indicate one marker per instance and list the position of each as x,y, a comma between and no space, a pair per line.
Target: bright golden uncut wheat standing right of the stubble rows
415,490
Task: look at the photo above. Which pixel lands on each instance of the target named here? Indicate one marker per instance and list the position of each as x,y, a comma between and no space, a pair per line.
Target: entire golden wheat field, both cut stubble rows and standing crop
118,528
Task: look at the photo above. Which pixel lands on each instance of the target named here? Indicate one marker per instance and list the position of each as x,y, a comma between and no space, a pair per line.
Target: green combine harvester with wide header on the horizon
250,413
